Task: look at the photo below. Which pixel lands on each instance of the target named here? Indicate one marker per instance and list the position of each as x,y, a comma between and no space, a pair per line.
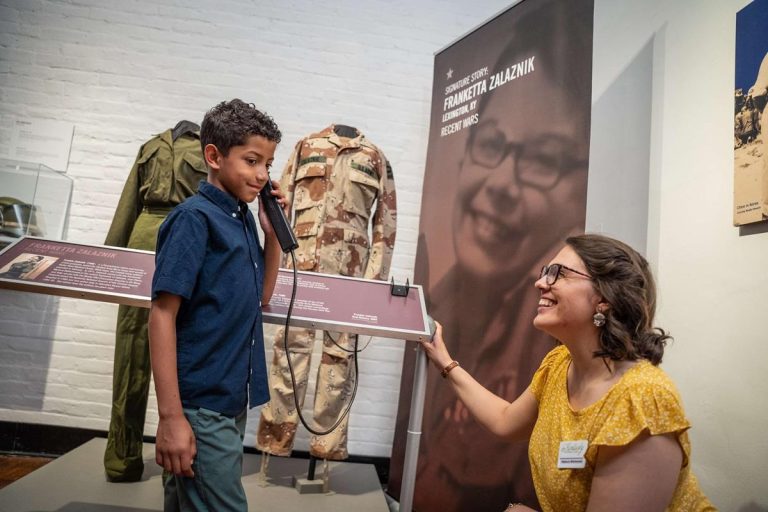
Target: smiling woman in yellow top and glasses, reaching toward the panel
605,426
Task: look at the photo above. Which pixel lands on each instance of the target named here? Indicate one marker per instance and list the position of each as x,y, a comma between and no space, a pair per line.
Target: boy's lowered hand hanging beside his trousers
175,446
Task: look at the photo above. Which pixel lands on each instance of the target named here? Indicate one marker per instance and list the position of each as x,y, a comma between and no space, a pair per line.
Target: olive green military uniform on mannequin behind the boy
166,172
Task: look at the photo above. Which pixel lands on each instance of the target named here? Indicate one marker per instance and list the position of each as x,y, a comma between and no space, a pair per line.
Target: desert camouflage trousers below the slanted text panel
279,419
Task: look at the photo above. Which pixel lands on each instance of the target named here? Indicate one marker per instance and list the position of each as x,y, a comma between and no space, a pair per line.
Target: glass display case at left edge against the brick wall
34,200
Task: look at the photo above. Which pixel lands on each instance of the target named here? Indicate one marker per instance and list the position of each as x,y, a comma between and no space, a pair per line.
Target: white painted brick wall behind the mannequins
123,70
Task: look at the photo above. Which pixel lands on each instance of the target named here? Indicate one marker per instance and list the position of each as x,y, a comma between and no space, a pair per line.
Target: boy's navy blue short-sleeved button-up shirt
208,253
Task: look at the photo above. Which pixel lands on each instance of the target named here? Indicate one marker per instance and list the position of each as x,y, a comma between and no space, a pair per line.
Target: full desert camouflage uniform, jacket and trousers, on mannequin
332,182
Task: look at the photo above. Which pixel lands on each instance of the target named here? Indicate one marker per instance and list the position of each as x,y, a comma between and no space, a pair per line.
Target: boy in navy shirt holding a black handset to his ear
205,326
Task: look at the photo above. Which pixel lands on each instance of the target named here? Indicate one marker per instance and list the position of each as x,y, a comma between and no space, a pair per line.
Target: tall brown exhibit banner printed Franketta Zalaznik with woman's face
505,184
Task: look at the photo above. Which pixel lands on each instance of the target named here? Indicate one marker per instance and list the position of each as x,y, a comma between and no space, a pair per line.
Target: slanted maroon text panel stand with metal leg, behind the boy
323,301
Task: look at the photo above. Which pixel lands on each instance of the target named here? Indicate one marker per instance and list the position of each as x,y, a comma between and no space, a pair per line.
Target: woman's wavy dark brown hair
623,278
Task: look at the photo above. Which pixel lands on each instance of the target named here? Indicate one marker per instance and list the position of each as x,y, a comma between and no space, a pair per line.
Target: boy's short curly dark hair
230,123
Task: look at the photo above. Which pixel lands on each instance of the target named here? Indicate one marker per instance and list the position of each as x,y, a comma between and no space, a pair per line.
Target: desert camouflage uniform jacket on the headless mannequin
332,183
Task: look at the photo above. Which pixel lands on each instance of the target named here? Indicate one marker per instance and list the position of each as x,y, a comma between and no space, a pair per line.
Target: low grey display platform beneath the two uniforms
75,482
